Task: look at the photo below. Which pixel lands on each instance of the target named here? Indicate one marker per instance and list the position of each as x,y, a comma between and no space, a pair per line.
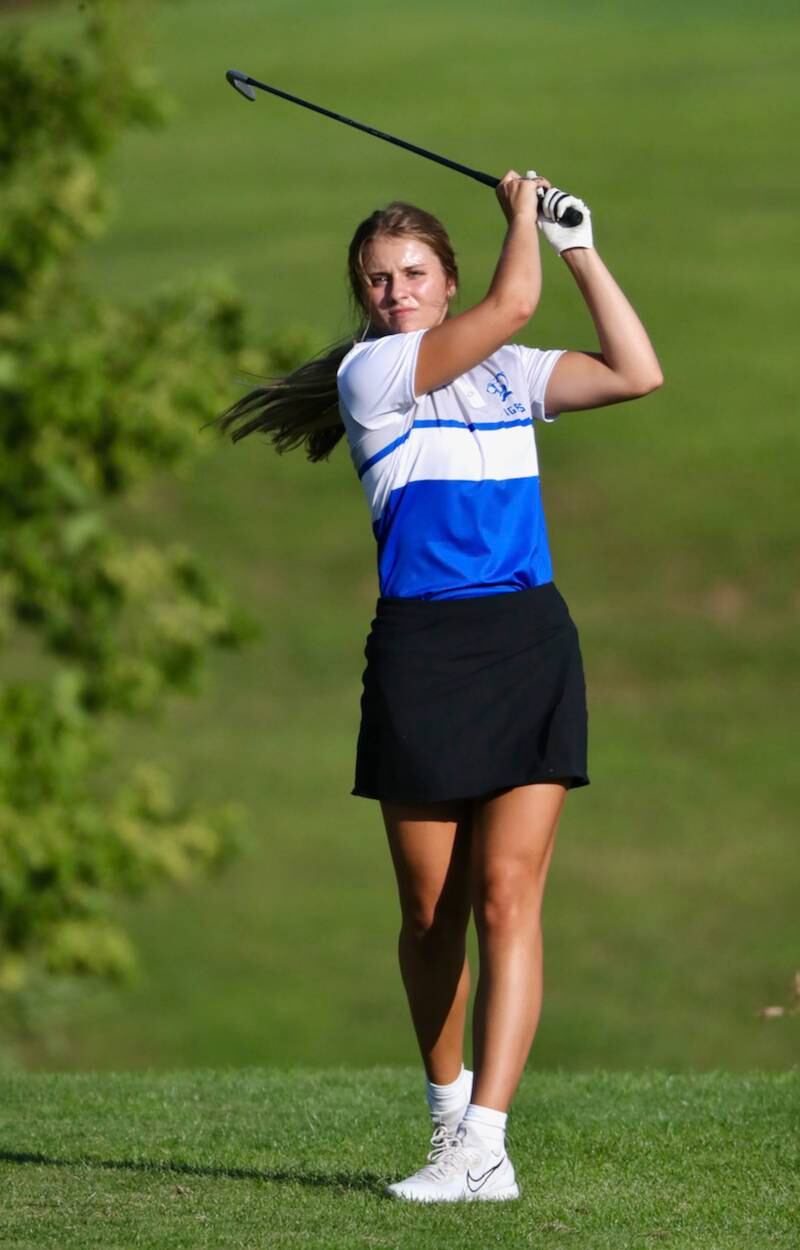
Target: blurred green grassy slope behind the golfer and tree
672,909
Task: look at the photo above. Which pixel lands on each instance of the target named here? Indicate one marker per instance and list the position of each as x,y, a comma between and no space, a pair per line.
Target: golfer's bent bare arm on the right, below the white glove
627,366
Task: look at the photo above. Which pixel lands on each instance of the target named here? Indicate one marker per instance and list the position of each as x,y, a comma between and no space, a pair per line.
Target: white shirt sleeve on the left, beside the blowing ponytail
377,381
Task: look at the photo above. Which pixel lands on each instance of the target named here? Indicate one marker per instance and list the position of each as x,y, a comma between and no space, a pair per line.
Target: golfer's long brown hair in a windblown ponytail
303,408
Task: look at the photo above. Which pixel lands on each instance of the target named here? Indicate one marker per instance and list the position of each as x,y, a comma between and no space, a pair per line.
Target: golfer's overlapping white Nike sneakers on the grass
461,1169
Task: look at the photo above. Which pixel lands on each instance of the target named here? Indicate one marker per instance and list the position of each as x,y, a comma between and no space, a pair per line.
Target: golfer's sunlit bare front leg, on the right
513,839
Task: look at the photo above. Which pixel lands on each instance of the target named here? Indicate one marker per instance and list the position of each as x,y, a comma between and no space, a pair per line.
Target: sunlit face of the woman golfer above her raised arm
407,287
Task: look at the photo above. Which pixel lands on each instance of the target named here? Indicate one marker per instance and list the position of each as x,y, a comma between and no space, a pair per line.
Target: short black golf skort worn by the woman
469,697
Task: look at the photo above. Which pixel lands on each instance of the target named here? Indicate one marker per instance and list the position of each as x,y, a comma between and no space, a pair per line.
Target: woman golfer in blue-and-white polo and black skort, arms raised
473,712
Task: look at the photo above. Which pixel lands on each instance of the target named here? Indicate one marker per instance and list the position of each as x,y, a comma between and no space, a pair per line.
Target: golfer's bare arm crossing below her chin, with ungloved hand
461,343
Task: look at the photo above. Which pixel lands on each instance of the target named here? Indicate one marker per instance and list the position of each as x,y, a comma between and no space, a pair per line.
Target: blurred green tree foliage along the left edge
94,399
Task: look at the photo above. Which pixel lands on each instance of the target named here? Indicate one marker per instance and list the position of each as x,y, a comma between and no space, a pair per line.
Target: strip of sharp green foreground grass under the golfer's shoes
249,1159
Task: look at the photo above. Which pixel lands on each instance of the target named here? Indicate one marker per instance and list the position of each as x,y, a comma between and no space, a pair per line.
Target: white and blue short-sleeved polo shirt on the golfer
452,477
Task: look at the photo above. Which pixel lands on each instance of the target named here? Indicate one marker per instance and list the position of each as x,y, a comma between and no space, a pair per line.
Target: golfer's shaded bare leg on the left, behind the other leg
431,849
